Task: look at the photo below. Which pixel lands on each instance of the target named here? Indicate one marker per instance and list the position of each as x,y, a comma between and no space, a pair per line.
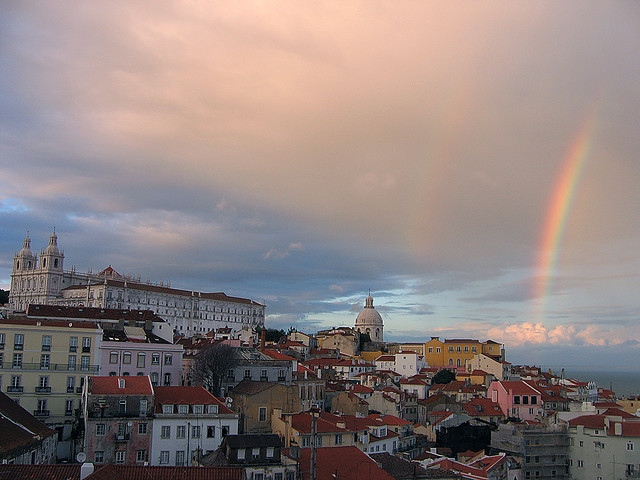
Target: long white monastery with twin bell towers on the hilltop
41,279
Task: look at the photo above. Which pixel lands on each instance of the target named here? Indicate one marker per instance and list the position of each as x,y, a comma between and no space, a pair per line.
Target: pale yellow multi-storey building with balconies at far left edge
44,364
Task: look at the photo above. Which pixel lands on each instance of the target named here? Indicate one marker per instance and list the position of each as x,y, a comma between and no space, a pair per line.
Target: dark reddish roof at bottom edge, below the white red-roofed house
139,472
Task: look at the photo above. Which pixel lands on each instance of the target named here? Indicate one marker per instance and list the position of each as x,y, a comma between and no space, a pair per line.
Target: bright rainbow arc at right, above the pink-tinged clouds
559,208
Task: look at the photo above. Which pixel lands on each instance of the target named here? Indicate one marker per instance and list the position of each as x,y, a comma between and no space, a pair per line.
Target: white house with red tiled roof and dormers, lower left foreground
189,422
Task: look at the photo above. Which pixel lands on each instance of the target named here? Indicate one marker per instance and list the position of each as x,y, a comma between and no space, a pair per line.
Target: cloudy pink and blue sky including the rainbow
473,164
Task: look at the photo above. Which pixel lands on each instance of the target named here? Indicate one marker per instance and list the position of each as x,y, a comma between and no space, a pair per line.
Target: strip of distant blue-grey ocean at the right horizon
624,381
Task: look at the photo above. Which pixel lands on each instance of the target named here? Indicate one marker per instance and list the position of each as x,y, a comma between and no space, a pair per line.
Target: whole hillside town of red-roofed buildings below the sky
105,375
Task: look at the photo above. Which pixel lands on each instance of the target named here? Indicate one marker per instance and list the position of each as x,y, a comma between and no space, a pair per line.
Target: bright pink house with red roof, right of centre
517,399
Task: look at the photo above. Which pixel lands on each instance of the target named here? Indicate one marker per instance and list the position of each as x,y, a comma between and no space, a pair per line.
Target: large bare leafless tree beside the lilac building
211,365
